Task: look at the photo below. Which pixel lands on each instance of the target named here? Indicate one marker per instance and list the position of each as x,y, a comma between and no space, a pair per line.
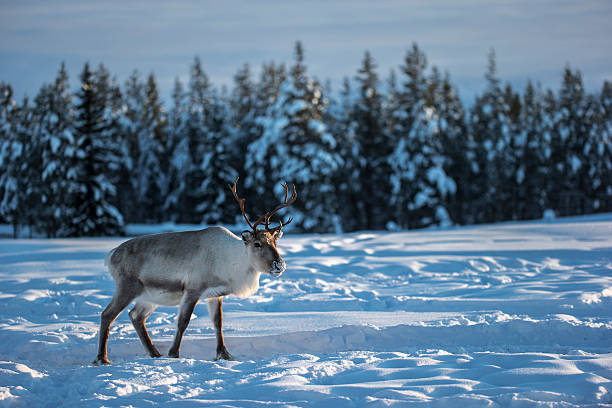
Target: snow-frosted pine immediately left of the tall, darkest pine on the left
54,112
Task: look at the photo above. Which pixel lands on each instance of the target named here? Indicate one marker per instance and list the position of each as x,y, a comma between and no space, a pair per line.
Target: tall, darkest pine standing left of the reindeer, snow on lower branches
97,156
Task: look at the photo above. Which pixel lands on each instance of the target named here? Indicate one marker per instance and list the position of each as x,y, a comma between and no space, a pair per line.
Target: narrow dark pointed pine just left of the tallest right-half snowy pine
374,148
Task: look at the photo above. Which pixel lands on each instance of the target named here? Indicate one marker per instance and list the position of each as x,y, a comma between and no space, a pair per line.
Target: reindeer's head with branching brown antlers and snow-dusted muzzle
260,243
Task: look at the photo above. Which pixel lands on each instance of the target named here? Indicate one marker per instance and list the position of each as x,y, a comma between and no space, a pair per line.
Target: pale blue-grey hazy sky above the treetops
532,39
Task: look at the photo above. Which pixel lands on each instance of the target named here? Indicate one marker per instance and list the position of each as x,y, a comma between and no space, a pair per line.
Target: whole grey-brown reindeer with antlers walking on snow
180,268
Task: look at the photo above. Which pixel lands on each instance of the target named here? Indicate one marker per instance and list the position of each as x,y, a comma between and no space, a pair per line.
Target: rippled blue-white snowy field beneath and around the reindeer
516,314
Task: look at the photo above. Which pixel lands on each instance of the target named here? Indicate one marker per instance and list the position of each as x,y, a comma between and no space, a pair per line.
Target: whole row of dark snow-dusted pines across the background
393,153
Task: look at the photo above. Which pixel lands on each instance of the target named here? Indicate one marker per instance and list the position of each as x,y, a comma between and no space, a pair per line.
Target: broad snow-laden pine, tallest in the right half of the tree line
419,184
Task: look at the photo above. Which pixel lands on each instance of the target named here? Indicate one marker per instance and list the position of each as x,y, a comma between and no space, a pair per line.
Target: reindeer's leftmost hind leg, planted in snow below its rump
124,294
